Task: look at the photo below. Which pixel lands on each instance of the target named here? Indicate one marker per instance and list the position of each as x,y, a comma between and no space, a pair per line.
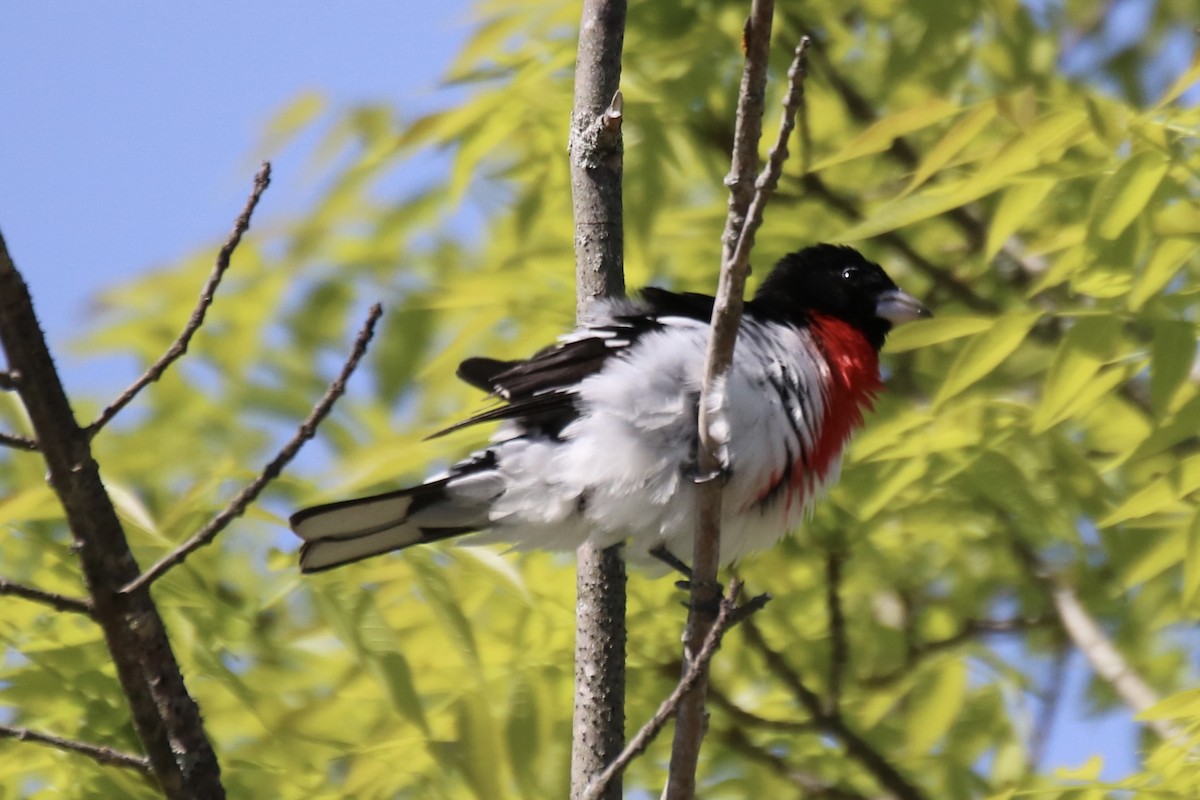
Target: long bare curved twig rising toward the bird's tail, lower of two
242,502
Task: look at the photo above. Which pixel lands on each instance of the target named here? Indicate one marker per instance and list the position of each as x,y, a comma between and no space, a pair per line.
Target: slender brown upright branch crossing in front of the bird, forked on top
745,218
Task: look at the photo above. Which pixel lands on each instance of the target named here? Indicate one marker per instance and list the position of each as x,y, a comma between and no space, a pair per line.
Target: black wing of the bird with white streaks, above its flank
539,393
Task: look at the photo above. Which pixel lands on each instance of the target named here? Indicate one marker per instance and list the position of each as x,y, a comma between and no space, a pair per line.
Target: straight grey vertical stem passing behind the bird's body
597,161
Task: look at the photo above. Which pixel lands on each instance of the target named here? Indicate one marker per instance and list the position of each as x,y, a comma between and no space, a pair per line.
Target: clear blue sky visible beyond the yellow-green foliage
130,141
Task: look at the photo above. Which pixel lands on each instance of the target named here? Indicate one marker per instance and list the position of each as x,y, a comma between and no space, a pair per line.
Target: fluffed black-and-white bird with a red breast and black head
599,434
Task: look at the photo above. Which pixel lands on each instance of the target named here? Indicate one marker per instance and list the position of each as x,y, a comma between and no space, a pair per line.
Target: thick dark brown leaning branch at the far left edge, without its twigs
165,717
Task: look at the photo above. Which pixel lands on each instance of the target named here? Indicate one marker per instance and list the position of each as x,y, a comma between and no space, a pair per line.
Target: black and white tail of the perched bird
341,533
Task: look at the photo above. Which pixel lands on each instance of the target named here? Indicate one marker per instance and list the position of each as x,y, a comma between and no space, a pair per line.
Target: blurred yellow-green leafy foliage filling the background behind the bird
1045,424
